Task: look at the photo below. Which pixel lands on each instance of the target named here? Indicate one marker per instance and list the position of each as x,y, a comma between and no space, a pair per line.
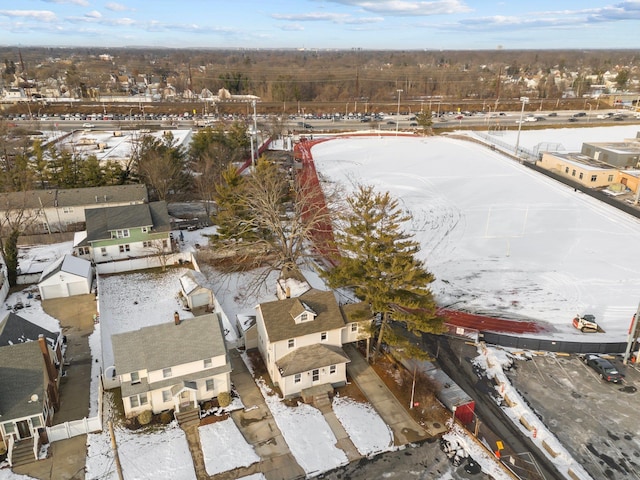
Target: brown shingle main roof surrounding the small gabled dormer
279,321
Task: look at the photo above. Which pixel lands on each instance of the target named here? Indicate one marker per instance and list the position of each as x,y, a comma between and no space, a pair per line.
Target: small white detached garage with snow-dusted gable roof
66,277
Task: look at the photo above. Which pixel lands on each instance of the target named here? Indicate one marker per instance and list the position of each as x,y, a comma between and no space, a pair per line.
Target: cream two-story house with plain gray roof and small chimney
172,366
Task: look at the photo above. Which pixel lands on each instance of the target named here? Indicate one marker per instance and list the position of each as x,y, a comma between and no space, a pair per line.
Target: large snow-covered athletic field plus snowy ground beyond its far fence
500,238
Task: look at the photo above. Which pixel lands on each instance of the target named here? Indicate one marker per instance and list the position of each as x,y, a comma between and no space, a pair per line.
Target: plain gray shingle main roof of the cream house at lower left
167,345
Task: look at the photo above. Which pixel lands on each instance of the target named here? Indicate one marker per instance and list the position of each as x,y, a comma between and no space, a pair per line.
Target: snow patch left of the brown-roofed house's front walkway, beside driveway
313,446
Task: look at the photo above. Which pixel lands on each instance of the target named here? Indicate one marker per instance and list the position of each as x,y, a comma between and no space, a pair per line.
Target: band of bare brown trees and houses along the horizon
328,75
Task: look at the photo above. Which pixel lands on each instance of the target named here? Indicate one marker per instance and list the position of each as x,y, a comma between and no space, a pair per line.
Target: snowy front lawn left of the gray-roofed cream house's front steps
144,455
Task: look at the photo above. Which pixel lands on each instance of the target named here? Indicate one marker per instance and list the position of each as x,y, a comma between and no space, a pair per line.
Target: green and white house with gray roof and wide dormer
119,233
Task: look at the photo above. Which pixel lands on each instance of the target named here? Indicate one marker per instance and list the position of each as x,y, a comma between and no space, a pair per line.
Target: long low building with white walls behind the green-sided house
62,210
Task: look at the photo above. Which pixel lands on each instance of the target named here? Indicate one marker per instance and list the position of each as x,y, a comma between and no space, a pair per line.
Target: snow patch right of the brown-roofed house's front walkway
376,438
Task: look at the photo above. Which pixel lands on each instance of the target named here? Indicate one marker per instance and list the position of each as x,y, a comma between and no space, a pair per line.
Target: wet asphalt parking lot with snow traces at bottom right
596,421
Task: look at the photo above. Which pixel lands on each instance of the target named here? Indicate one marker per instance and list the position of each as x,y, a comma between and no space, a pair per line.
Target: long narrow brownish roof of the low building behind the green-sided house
74,196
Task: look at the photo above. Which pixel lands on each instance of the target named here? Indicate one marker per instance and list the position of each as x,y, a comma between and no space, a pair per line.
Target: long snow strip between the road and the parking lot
494,361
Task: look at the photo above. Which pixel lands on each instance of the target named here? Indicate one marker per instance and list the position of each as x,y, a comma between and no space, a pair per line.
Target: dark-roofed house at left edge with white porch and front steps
29,395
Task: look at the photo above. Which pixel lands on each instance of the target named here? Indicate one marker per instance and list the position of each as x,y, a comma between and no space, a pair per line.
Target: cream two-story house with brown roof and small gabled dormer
300,339
